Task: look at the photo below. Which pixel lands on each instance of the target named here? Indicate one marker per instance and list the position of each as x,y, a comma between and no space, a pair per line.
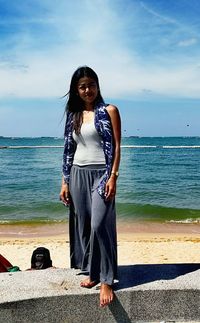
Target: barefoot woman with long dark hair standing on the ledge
90,169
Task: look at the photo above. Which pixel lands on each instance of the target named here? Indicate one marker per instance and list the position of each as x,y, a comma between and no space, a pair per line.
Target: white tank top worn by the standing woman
89,150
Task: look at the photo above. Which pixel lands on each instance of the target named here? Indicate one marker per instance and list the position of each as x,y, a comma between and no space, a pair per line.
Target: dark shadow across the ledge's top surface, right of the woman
134,275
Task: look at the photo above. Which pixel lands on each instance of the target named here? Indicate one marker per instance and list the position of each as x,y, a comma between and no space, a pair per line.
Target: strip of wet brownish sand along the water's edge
58,229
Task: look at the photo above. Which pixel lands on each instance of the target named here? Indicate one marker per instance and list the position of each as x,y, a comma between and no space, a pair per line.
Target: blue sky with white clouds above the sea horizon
146,53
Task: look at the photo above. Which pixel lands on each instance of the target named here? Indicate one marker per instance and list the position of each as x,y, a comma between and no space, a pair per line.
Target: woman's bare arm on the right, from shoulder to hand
110,189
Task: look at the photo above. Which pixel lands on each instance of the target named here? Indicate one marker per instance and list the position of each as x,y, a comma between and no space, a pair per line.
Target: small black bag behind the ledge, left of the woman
41,258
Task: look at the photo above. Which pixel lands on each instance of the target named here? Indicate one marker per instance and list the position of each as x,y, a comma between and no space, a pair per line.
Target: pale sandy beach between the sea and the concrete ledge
138,243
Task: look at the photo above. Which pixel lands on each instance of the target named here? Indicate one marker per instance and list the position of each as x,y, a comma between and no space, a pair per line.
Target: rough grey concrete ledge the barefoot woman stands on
145,293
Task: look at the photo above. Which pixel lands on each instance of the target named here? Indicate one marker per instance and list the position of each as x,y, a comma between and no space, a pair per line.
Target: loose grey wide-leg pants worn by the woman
92,220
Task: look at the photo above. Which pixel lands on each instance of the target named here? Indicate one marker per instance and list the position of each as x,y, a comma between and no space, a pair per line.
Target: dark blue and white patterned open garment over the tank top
104,128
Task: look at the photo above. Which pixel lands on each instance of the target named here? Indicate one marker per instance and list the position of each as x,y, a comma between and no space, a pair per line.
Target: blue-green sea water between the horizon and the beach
159,180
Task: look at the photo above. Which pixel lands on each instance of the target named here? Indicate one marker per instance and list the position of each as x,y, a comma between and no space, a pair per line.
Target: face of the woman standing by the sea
87,89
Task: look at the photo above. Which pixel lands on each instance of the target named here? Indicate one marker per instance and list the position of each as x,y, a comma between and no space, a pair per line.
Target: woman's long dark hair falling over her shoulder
75,104
